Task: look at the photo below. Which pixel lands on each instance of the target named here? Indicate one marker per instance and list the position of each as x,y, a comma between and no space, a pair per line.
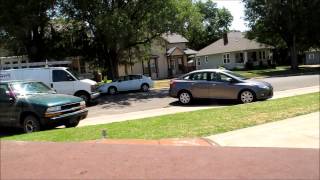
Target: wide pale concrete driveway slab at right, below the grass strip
297,132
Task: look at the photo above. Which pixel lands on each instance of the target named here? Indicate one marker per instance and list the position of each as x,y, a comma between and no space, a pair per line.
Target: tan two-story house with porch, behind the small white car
169,57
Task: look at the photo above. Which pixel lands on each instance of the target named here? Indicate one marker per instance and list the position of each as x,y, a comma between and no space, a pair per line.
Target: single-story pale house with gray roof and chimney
232,51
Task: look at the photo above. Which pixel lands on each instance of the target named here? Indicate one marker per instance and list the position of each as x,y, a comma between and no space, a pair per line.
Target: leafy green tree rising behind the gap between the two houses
214,22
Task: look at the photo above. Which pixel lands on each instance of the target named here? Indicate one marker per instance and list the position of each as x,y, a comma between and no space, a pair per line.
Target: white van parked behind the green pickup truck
58,78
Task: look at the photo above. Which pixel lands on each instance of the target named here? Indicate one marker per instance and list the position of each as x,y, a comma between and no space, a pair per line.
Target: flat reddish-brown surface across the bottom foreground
40,160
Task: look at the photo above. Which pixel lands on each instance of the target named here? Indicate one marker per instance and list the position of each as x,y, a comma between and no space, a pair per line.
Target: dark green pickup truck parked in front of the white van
34,106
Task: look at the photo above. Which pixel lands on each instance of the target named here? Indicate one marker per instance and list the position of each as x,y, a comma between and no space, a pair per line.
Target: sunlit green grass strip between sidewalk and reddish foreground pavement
189,124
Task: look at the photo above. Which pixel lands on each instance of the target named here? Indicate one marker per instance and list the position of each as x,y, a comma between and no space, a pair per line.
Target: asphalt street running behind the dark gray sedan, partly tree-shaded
139,101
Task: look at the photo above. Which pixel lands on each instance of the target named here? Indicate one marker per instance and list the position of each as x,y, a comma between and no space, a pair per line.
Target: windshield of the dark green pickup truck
23,88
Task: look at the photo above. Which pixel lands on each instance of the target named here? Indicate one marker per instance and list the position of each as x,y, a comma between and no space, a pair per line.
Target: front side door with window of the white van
63,82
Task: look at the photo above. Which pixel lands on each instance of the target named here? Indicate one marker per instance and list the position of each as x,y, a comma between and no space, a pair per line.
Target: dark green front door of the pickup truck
8,113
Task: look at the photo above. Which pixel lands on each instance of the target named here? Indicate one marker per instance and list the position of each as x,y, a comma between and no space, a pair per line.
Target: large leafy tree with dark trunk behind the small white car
119,27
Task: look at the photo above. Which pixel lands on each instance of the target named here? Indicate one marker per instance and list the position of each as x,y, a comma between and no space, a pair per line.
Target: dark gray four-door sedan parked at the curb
218,84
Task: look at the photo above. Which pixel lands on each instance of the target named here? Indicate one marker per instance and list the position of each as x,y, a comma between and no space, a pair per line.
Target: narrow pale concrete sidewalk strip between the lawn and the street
177,109
